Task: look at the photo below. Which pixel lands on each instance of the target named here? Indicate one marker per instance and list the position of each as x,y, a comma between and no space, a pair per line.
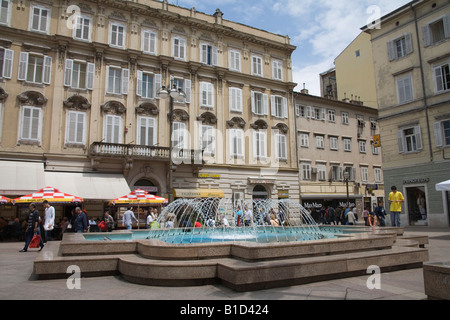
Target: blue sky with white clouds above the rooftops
320,29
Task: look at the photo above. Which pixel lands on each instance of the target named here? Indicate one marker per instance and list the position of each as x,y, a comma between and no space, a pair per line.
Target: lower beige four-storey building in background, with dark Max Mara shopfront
335,144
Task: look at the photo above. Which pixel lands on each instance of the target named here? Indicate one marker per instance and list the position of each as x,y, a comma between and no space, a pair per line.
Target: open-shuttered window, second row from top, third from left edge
79,75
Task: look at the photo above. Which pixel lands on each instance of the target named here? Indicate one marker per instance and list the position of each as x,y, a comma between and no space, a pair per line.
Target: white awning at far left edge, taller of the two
19,177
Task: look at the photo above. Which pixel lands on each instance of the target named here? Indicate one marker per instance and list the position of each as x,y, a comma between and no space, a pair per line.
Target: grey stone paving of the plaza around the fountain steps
18,283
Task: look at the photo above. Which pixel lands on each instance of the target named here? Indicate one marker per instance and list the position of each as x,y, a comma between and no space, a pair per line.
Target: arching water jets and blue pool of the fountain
218,220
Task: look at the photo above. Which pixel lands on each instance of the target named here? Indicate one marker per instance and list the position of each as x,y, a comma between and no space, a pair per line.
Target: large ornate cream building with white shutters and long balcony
81,106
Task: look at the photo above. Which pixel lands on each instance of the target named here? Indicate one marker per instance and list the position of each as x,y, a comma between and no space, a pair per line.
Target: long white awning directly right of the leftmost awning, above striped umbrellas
89,186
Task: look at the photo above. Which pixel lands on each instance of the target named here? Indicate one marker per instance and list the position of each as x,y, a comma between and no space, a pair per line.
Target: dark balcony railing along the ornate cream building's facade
115,150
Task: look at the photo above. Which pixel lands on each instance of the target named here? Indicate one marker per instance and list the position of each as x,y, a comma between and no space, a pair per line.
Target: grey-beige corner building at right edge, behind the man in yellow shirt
411,59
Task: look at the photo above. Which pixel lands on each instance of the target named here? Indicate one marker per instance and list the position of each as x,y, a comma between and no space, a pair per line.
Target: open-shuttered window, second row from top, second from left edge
34,68
